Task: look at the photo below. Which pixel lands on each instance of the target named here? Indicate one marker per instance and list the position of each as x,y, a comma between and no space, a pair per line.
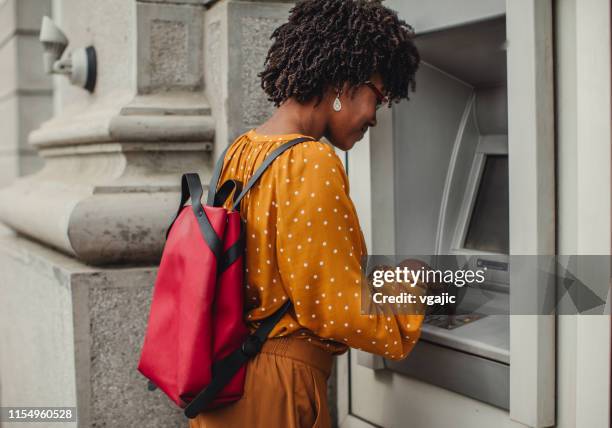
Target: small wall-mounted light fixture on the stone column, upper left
79,65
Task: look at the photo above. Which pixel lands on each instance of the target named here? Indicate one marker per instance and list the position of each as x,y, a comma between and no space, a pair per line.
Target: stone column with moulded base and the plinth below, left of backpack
77,278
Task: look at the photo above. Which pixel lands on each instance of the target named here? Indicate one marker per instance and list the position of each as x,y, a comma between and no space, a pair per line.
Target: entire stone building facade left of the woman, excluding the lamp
176,82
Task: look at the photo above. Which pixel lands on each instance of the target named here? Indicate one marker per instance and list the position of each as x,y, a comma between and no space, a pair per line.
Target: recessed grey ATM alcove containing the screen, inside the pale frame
452,135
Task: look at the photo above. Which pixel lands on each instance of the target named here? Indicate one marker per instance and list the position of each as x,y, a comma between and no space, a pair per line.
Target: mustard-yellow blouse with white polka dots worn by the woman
304,243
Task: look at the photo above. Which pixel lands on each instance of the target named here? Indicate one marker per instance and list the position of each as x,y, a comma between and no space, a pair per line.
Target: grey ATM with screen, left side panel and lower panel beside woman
438,183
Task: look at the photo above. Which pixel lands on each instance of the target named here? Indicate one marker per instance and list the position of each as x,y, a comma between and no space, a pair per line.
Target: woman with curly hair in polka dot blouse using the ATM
331,66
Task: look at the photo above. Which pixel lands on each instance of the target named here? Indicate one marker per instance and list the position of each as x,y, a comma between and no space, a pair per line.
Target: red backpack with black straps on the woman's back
197,343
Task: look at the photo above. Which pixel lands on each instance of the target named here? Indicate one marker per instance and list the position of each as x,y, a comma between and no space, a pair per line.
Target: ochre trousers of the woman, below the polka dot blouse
285,387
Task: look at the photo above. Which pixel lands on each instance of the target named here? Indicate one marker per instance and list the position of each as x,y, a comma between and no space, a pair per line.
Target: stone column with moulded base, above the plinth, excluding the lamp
110,179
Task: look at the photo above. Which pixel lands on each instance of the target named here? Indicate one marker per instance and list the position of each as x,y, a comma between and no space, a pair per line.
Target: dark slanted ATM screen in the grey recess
488,228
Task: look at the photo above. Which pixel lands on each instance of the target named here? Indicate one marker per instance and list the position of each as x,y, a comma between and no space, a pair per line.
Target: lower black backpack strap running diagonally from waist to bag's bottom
225,369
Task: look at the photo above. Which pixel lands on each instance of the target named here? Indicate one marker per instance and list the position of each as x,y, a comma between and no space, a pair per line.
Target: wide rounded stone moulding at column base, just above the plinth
104,205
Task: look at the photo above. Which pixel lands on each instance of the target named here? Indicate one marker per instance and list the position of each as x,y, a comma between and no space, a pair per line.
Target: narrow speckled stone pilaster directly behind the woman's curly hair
237,35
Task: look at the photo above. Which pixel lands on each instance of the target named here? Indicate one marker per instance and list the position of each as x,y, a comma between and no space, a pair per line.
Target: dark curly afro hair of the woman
329,42
